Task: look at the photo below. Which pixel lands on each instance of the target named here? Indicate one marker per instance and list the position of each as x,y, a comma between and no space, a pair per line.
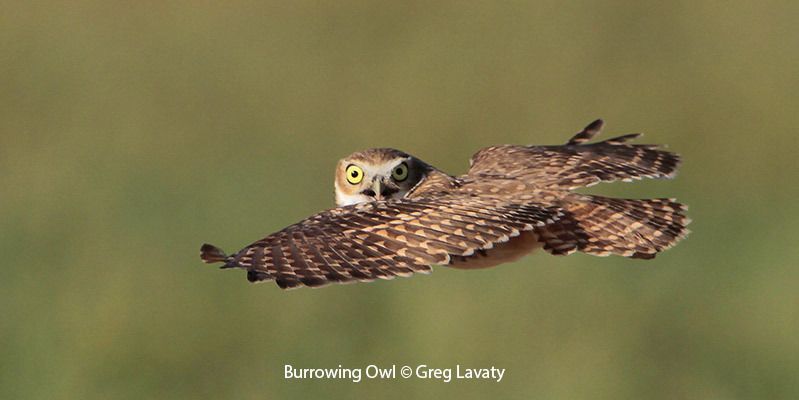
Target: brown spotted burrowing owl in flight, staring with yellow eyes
398,215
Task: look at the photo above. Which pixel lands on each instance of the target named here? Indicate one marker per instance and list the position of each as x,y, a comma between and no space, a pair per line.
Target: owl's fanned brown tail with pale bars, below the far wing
601,226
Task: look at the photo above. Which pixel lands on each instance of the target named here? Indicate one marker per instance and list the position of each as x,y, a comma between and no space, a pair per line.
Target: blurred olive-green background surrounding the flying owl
132,133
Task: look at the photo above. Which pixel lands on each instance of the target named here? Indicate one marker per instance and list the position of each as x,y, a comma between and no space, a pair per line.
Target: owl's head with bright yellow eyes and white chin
377,174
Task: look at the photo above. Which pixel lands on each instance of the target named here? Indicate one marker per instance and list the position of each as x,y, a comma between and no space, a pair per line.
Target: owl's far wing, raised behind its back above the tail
576,164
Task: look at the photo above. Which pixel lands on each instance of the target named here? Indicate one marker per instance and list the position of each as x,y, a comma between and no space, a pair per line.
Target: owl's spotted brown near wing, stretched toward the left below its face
381,240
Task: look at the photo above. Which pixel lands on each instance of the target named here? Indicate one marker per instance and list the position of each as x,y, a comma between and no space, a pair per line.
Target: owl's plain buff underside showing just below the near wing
501,253
